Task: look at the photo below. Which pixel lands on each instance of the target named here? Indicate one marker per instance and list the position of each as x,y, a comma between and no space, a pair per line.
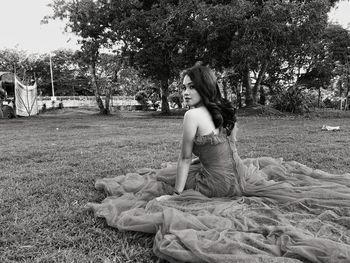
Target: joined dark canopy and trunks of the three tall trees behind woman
261,42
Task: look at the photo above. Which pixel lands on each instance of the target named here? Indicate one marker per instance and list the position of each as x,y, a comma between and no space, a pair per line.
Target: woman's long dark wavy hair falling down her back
221,110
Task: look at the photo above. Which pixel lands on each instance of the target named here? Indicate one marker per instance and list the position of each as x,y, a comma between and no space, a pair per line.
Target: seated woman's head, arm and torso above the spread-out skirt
210,119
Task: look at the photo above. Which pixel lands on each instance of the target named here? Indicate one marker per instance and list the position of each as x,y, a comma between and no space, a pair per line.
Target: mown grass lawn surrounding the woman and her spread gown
48,165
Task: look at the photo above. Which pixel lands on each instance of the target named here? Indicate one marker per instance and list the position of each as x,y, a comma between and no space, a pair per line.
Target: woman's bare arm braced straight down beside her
185,158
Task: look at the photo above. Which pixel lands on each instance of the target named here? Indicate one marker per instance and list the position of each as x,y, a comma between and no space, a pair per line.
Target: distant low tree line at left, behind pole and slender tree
70,73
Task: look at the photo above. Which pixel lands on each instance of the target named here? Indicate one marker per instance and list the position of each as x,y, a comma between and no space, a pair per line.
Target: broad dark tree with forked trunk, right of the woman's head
254,36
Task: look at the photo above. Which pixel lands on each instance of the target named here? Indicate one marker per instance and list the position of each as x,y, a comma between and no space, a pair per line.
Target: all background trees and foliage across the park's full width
260,49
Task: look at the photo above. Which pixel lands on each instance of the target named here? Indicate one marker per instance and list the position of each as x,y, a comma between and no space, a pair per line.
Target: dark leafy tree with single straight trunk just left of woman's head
154,36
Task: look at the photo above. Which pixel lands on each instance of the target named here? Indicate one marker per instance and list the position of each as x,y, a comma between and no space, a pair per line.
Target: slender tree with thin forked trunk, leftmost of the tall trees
89,20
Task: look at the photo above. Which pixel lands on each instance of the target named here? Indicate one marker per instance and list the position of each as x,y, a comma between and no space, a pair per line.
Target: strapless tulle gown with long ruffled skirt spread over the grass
253,210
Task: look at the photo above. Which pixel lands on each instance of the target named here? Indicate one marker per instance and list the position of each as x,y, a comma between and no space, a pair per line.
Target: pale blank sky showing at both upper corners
20,26
